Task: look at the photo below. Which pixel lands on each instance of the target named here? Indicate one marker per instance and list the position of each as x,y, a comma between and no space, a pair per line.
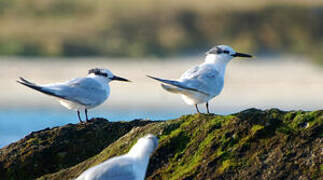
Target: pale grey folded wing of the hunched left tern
85,91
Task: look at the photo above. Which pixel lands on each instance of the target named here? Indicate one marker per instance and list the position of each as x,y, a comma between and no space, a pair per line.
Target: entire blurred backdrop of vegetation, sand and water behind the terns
57,40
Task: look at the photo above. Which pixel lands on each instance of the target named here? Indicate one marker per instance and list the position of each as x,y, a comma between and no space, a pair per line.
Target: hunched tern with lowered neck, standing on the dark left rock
80,93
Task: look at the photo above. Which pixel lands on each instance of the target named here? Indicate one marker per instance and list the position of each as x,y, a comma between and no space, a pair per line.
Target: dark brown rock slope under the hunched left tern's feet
50,150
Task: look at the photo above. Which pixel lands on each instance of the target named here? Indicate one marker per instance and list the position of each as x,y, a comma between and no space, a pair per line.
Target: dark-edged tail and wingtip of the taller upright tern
176,84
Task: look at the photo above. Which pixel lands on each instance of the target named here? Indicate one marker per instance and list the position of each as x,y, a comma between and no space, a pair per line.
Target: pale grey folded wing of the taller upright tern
205,78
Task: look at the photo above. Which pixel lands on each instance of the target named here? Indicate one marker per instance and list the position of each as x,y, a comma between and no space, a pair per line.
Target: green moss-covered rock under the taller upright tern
252,144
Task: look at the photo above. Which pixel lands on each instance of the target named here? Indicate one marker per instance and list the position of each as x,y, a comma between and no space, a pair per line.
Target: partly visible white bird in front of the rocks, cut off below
130,166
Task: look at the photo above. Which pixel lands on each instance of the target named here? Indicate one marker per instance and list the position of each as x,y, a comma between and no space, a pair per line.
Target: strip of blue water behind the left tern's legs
17,123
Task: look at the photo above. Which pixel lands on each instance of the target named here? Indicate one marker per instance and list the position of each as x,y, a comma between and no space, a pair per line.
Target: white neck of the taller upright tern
220,62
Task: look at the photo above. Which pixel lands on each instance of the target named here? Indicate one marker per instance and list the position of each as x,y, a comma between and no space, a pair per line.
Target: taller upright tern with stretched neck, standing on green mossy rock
205,81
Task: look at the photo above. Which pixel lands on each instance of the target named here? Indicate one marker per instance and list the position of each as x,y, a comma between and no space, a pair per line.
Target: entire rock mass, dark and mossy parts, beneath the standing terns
252,144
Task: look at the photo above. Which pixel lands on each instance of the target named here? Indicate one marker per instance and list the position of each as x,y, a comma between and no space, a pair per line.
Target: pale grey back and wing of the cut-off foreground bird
111,171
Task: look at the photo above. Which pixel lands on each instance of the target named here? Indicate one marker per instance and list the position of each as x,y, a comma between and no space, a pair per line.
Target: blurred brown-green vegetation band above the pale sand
138,28
